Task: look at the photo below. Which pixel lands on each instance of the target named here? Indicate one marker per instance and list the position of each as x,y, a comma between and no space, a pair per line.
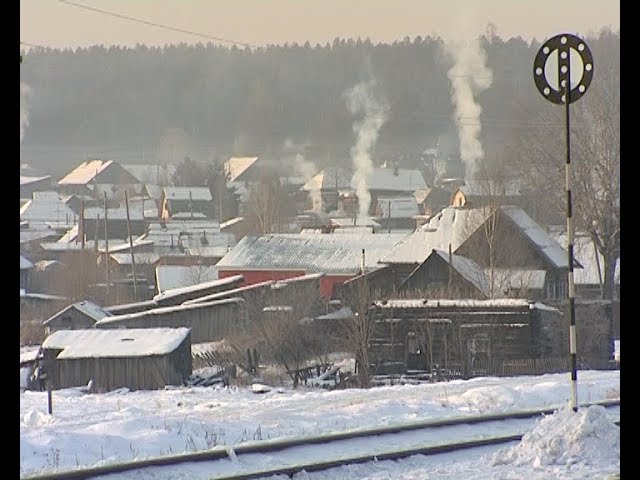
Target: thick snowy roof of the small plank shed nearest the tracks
100,343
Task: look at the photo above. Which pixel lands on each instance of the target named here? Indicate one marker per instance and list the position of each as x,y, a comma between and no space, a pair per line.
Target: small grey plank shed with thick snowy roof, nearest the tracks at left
137,359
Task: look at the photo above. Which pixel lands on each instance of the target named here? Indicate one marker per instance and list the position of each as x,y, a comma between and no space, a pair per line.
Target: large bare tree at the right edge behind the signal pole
595,158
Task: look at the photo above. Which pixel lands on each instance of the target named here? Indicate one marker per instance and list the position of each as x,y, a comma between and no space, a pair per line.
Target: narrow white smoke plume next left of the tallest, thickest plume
360,99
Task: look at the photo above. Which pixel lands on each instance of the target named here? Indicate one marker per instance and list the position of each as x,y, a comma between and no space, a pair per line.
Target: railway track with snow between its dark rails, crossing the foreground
425,438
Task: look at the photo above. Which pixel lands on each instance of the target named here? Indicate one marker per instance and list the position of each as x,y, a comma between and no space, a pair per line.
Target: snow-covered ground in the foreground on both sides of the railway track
95,429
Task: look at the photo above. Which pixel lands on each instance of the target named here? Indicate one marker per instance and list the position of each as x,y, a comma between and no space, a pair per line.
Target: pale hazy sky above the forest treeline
56,23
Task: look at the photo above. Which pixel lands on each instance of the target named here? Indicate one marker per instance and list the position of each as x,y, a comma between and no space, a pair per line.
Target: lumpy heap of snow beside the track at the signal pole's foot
585,437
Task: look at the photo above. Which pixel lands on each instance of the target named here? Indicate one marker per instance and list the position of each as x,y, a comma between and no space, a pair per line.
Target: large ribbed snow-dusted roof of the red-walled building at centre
329,253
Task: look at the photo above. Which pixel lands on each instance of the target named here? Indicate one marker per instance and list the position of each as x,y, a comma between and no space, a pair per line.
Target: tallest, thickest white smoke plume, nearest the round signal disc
469,76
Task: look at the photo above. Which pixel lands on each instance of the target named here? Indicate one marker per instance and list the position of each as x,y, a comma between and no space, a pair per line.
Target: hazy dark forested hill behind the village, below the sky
206,99
